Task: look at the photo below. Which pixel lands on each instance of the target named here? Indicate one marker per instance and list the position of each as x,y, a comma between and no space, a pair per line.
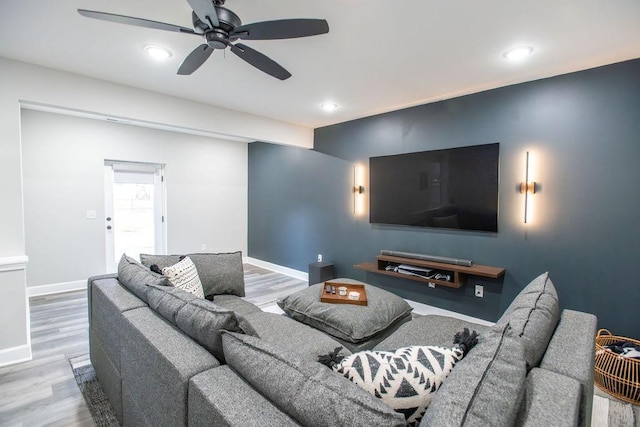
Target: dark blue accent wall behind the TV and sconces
583,132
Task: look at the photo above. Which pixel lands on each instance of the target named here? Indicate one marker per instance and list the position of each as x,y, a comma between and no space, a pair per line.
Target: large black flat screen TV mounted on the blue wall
455,188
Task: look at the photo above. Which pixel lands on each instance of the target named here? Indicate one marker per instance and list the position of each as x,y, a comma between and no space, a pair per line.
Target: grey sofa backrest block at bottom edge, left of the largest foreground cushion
219,397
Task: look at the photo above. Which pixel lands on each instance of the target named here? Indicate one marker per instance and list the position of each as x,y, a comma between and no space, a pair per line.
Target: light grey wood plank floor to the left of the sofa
44,391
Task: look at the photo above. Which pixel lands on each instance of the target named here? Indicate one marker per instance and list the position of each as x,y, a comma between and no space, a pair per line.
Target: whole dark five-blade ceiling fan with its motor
220,27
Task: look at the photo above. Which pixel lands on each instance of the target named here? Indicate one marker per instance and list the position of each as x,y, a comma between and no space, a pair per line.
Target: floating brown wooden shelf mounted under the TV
458,273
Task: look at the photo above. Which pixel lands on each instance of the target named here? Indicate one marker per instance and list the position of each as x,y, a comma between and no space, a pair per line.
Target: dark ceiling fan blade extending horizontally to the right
281,29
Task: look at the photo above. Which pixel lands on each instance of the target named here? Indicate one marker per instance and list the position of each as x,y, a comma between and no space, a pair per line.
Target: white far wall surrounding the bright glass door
63,158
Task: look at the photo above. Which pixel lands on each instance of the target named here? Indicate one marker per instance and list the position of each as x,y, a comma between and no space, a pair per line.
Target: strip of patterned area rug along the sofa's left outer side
101,410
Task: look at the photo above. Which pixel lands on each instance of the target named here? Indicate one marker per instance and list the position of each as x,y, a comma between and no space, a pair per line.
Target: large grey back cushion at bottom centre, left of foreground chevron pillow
307,391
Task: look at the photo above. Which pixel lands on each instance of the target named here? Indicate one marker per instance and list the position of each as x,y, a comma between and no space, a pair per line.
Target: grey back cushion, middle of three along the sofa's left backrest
200,319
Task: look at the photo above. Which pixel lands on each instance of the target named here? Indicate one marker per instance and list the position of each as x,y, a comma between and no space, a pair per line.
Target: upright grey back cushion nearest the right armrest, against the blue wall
533,316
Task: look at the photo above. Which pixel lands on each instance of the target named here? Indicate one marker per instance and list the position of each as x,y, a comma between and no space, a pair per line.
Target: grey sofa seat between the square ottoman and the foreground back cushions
288,335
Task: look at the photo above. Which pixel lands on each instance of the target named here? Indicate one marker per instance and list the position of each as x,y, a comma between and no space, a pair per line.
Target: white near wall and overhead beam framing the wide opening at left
22,83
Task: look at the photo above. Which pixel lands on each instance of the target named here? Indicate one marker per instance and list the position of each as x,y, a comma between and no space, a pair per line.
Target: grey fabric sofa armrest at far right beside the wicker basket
571,353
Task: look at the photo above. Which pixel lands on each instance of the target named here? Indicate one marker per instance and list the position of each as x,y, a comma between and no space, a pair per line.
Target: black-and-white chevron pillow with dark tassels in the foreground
405,379
